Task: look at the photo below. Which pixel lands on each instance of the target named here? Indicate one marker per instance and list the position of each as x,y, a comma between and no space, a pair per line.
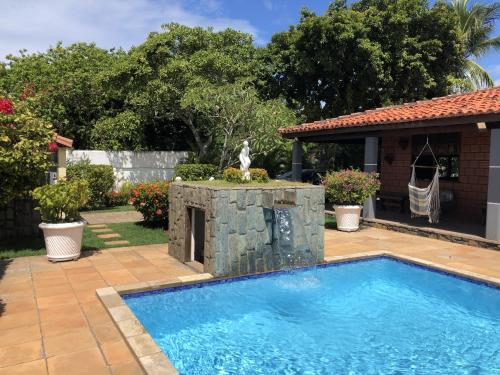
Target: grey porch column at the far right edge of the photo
493,206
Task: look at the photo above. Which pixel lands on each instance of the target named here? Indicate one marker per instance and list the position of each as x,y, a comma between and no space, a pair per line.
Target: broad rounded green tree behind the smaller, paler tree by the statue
159,72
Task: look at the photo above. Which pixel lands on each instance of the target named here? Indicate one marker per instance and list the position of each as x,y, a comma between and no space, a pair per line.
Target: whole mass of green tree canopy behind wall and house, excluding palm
205,90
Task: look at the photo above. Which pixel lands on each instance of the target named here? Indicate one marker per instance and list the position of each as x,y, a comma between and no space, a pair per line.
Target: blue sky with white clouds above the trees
35,25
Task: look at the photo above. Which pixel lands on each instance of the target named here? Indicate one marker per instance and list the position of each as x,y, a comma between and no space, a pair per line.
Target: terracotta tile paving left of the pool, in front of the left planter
51,321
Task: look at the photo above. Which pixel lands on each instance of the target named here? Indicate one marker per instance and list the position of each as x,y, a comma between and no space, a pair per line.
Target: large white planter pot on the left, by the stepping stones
63,241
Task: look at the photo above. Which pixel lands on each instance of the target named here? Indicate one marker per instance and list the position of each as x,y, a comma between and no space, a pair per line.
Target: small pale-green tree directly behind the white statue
234,113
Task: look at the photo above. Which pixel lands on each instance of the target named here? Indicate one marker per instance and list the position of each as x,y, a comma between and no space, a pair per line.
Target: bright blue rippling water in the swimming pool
377,316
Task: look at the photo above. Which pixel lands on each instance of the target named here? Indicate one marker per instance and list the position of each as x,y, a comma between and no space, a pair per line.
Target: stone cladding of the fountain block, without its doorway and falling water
238,239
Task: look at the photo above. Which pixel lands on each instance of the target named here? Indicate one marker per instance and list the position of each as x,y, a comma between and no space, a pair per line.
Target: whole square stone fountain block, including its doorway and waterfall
246,229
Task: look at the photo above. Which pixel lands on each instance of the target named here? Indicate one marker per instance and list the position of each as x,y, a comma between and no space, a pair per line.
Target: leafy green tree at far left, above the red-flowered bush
65,84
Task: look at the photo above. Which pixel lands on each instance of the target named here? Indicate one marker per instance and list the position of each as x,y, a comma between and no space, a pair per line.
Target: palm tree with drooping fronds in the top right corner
477,22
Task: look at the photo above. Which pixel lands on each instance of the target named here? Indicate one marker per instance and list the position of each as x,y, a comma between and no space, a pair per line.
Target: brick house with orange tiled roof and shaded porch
463,131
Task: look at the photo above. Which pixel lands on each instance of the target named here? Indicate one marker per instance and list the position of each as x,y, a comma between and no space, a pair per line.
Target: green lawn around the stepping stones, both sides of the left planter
135,233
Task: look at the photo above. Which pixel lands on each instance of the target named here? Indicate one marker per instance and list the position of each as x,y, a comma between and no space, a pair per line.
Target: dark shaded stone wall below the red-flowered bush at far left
19,219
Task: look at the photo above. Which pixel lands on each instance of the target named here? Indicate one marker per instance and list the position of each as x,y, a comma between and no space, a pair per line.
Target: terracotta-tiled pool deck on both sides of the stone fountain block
51,321
